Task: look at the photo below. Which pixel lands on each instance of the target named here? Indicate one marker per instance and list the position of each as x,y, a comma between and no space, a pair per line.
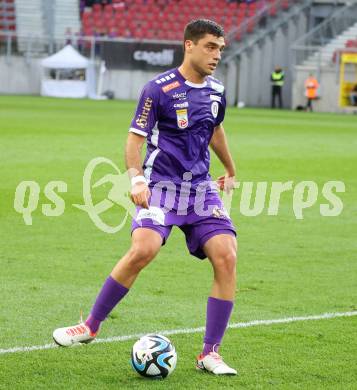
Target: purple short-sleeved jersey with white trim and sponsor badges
178,118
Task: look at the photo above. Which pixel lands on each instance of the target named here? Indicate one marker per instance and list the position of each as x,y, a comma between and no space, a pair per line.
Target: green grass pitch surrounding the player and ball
52,269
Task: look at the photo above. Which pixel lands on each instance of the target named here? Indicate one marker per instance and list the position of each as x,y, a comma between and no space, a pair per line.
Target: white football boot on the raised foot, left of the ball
76,334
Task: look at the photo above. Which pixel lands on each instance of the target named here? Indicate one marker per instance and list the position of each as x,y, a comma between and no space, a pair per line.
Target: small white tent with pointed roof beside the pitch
65,74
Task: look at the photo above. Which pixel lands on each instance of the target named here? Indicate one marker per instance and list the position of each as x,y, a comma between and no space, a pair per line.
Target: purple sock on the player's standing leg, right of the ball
218,313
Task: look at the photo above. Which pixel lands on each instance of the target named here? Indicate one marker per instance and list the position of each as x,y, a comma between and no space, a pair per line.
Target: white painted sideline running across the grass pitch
191,330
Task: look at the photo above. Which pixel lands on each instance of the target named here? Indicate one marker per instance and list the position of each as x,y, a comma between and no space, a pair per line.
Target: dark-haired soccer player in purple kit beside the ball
179,115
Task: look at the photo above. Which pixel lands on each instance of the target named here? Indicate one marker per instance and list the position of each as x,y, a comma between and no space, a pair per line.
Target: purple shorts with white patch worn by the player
199,219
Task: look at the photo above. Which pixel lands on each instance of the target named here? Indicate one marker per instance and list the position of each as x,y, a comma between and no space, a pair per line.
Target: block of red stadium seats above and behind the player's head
162,19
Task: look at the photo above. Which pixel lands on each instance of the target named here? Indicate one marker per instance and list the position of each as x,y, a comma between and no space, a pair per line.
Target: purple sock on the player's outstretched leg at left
111,293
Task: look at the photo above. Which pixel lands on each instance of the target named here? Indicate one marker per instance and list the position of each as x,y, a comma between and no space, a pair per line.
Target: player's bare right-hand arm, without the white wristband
219,145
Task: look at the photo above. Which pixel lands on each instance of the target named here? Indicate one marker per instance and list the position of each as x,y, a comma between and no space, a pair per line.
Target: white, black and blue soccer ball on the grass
153,356
